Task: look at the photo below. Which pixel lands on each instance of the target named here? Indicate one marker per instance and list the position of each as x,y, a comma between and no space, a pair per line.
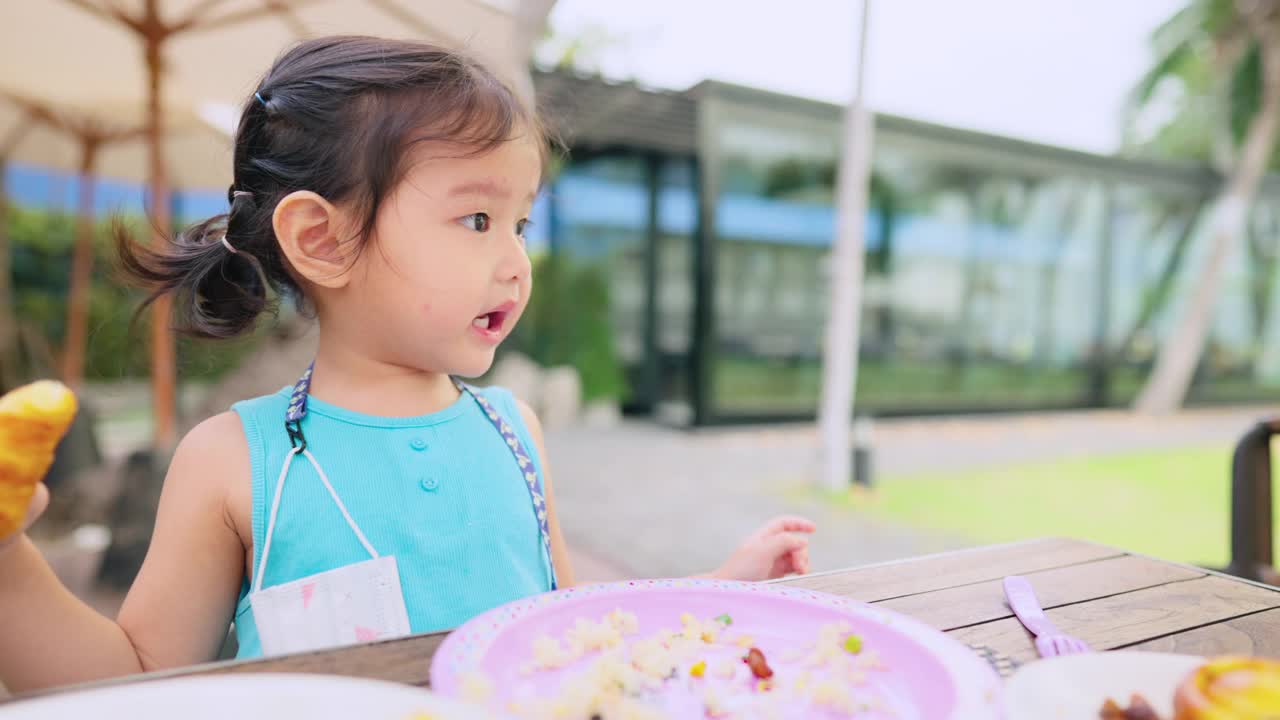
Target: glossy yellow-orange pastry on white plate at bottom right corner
1231,689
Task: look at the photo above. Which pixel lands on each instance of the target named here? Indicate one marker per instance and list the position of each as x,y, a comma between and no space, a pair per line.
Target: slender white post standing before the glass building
845,277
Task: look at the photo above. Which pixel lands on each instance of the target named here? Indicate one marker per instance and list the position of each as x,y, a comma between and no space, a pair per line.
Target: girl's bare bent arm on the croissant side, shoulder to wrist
181,605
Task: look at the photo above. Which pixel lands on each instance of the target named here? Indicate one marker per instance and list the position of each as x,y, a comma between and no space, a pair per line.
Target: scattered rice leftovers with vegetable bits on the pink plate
609,671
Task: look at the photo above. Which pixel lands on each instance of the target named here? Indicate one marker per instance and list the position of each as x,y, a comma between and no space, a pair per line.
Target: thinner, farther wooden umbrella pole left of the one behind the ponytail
83,268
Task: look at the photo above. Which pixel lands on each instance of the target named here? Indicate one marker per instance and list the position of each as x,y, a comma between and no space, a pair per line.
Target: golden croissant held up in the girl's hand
34,420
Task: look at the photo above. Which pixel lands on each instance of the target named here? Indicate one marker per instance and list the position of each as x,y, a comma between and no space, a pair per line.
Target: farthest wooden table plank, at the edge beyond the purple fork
953,569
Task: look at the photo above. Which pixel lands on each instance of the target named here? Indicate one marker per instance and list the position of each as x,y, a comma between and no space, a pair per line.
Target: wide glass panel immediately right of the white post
981,286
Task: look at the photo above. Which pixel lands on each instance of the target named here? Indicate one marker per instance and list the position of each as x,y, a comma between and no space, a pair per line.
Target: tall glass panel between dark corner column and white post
774,227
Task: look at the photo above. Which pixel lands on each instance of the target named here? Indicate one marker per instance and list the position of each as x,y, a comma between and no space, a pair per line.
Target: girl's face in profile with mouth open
447,276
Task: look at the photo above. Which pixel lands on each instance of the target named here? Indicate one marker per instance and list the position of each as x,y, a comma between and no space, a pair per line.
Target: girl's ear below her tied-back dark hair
309,231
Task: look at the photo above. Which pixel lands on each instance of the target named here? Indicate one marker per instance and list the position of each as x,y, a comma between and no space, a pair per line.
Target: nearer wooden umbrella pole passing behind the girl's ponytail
163,353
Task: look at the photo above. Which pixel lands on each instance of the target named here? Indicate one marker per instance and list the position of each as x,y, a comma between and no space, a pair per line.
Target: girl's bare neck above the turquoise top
365,385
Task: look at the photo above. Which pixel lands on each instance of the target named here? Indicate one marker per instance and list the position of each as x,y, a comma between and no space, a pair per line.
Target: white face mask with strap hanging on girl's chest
355,604
